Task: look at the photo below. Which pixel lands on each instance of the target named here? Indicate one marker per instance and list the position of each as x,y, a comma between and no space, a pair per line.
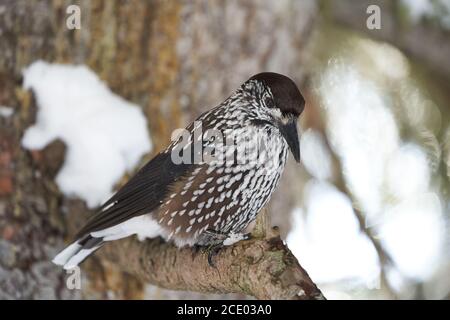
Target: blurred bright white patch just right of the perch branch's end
328,241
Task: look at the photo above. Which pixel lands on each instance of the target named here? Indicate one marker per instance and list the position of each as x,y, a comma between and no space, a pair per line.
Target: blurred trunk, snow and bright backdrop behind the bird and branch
367,211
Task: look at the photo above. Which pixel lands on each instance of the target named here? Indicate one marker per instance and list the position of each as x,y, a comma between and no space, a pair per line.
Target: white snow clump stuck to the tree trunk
105,134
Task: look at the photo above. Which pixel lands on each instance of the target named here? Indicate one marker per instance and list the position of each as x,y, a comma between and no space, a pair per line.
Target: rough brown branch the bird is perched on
263,268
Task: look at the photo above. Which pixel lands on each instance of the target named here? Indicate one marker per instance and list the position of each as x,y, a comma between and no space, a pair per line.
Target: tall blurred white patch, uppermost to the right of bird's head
361,130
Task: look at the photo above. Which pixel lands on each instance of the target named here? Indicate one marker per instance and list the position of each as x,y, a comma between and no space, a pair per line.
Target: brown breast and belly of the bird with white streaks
225,193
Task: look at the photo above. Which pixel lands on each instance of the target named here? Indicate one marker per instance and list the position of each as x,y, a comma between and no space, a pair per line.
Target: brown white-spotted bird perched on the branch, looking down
194,198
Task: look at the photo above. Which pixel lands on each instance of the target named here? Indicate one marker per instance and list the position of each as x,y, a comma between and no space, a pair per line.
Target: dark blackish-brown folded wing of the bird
144,192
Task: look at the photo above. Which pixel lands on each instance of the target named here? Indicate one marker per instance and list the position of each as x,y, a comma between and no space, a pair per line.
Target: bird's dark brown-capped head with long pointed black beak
282,102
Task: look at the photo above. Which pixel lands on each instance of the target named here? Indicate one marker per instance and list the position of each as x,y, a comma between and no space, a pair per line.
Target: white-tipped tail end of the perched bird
76,252
